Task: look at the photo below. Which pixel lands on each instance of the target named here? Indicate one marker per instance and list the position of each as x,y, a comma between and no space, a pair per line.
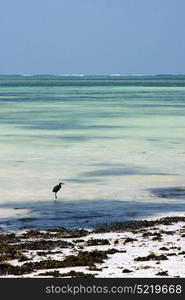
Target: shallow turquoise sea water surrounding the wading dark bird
115,141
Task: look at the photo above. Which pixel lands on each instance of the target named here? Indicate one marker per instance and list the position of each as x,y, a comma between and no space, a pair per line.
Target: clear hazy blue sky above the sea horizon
92,36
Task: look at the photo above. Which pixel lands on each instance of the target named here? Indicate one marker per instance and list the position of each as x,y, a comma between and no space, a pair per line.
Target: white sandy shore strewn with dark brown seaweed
145,248
